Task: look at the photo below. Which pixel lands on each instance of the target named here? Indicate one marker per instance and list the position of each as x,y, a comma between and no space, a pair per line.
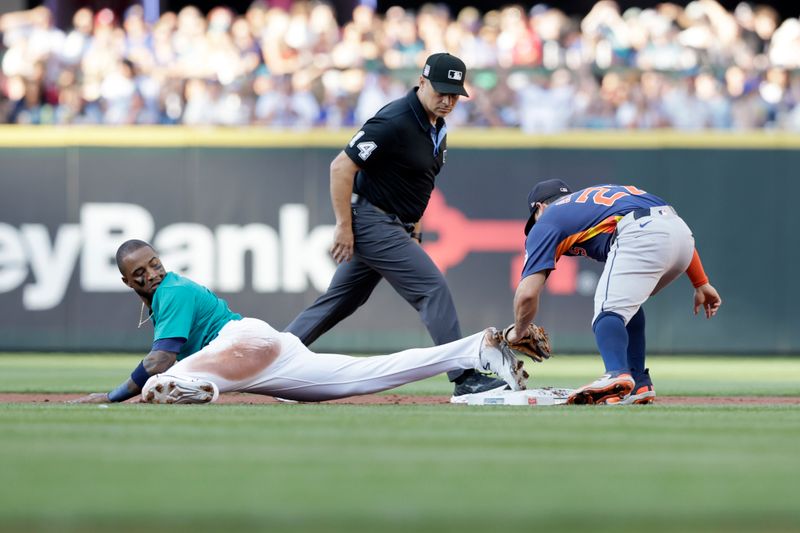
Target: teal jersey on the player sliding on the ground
182,309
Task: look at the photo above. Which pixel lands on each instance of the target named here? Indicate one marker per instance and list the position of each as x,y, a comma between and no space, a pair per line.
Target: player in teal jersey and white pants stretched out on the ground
202,348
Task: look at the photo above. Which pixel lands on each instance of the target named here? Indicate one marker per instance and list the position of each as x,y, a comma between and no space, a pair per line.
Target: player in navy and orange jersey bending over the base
645,245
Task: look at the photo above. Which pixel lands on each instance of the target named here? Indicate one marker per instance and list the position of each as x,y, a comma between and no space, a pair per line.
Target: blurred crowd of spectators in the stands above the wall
694,67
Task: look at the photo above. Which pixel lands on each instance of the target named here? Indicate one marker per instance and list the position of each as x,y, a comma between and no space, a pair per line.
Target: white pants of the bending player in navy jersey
647,255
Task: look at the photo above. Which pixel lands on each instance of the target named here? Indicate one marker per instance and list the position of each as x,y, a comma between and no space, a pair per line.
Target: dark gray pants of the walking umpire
383,249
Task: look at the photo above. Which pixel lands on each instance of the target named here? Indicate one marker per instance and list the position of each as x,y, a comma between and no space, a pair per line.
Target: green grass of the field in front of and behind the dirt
332,467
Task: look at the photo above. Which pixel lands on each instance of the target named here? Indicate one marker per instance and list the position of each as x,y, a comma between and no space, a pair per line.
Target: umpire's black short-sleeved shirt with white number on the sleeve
398,157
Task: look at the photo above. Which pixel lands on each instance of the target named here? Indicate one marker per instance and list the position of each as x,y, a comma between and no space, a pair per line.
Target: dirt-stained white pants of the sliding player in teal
249,355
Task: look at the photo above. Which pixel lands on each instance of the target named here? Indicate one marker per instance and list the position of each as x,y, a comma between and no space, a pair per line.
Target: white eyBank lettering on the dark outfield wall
291,258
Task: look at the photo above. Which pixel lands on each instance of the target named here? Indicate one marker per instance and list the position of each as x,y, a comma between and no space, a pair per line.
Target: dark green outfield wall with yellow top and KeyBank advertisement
247,212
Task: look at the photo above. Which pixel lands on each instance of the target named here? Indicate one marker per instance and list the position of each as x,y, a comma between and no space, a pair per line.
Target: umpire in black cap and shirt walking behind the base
380,186
